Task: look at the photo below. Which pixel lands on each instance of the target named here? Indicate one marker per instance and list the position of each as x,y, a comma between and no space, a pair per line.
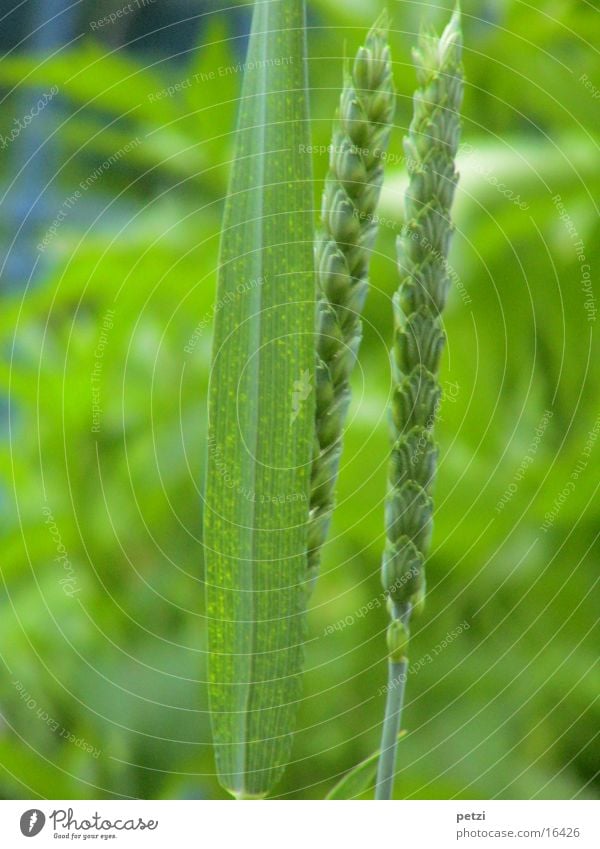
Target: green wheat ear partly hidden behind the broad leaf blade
343,249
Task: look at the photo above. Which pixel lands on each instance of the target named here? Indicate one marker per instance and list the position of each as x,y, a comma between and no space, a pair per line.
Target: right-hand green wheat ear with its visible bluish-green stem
430,149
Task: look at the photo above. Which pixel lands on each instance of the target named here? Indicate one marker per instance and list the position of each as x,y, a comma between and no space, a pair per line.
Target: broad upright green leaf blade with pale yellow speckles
260,422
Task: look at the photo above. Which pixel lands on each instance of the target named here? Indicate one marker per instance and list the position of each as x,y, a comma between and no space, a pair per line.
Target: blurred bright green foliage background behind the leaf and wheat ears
103,412
